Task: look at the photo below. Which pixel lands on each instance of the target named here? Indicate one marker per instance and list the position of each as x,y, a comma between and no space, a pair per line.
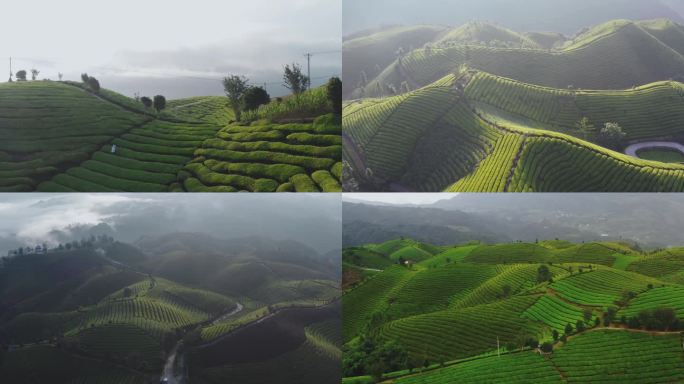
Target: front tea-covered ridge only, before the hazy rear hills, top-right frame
458,135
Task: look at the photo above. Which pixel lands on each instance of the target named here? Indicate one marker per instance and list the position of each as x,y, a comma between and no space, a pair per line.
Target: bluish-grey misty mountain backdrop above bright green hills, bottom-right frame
652,220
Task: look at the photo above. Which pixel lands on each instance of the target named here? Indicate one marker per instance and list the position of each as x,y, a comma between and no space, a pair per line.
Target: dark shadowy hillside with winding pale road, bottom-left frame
130,311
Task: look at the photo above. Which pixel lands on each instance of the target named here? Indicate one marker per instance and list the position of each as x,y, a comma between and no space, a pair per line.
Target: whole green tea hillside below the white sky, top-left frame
61,137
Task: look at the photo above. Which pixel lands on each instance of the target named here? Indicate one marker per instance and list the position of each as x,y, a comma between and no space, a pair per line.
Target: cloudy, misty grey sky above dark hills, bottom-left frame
312,219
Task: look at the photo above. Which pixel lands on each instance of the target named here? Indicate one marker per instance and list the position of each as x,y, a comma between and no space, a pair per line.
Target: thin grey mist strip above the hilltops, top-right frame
564,16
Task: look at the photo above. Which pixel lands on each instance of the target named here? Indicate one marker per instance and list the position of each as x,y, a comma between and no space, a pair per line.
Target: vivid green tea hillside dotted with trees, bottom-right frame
442,318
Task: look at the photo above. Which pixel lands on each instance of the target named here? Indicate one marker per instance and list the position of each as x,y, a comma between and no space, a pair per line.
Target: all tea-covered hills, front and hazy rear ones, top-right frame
464,117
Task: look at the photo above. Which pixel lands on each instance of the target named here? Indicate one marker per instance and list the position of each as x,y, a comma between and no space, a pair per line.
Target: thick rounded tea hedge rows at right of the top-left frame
269,158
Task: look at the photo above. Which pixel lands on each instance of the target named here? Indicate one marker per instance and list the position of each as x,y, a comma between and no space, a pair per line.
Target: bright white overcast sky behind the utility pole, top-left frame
177,48
